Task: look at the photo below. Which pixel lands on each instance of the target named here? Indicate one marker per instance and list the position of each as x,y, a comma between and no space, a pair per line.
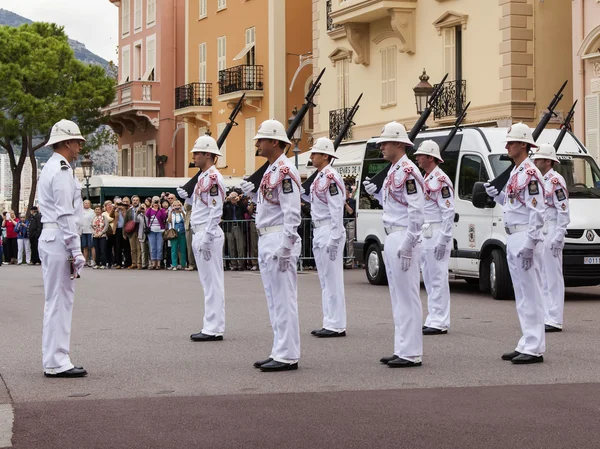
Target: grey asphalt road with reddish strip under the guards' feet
151,387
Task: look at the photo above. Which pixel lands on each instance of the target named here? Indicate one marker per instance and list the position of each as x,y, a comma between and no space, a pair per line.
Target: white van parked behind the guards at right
479,239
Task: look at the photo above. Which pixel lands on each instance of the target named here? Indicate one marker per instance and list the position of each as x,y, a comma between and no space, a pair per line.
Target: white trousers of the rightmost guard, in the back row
553,284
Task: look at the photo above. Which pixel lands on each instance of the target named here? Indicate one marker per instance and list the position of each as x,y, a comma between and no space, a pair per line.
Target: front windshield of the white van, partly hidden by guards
581,173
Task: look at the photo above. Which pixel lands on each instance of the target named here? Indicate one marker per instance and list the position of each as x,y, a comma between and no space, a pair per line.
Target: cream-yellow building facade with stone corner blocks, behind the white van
503,56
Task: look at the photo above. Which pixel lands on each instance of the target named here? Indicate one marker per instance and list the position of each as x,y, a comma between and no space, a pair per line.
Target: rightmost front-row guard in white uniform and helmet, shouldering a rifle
523,209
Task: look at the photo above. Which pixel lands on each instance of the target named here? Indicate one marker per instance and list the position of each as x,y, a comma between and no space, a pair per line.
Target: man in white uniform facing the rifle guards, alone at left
59,195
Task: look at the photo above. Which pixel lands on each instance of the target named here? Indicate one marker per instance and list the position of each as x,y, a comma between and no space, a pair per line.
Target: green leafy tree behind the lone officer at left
41,82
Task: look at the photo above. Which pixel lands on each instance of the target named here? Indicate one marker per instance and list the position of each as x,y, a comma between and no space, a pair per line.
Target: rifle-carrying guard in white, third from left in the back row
436,237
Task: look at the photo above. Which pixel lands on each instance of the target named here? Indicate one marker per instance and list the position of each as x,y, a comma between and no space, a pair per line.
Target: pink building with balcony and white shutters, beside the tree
151,65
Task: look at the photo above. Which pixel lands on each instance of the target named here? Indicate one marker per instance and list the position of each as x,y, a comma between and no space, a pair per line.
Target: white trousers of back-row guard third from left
435,278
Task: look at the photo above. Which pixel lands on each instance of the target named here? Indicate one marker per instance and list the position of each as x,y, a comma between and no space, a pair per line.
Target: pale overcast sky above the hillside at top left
91,22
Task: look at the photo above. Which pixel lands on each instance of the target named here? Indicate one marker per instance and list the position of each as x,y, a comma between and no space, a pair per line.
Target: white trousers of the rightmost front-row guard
528,295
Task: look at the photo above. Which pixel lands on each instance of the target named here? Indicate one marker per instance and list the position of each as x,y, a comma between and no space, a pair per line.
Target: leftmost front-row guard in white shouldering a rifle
277,221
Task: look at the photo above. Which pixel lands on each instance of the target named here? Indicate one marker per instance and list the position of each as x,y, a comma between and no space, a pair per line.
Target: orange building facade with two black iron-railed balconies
236,47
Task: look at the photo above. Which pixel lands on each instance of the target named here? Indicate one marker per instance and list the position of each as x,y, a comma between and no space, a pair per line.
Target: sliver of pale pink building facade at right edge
586,73
